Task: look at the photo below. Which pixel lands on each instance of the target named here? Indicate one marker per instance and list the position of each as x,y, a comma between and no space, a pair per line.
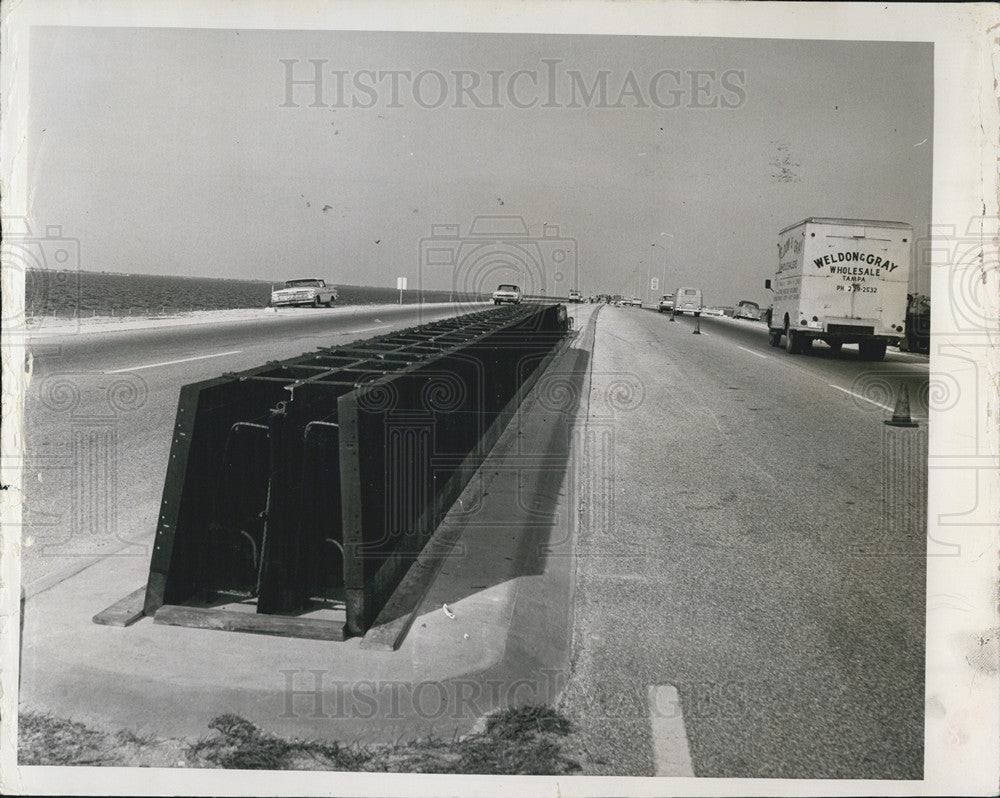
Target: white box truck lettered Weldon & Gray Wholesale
841,281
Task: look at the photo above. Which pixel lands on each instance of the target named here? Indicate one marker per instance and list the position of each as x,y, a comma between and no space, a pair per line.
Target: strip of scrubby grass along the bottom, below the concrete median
523,741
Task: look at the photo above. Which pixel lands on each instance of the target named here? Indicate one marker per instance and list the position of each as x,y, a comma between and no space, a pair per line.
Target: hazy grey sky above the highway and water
178,151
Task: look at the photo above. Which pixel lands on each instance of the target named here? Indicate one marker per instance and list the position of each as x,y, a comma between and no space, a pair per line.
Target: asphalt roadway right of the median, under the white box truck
753,534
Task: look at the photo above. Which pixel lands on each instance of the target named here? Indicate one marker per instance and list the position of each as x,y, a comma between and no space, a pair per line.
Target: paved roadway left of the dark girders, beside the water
99,413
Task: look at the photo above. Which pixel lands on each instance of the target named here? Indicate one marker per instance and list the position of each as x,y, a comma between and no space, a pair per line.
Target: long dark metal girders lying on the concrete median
298,493
